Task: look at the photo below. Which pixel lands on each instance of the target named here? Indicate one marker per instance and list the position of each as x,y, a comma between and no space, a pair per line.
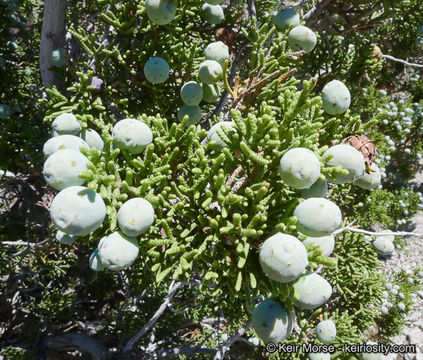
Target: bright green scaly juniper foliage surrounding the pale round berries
215,207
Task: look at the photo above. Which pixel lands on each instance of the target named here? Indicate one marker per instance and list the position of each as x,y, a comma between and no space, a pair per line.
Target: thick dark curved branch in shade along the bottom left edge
77,341
